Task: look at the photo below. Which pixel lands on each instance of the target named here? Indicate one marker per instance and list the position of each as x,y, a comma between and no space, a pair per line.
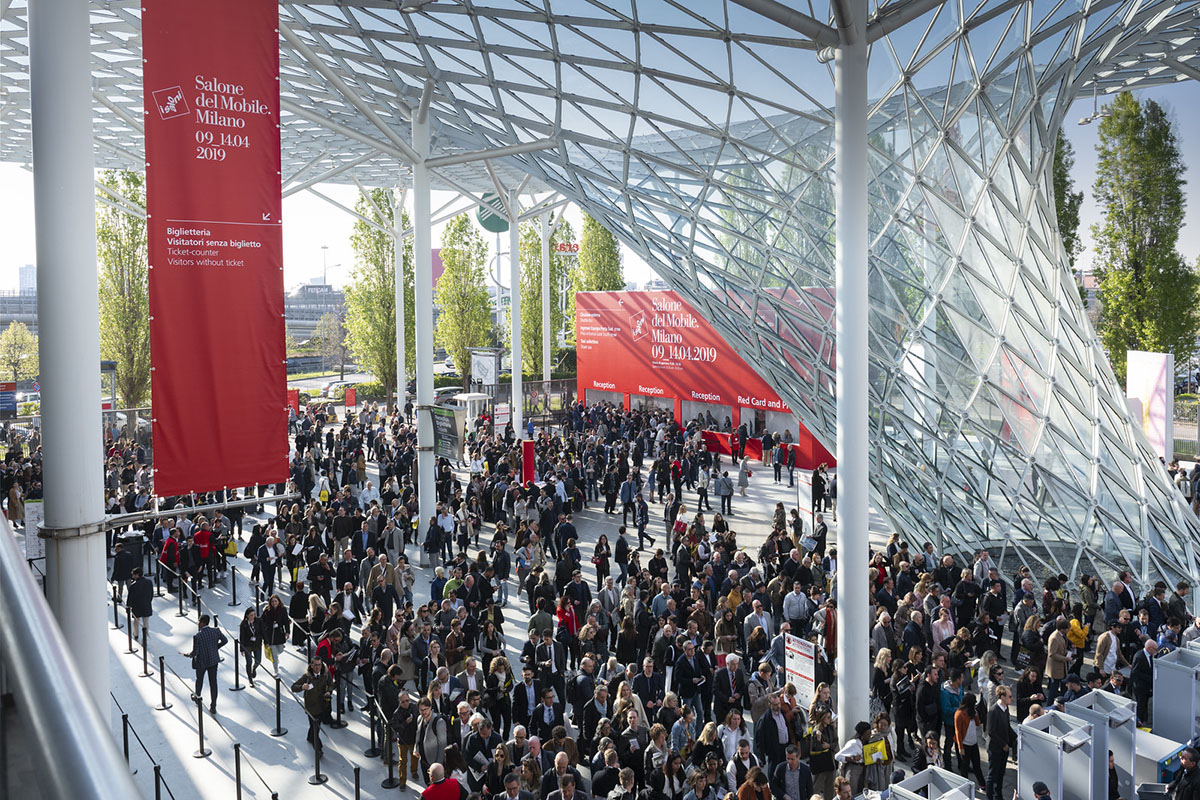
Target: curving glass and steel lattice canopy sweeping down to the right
703,135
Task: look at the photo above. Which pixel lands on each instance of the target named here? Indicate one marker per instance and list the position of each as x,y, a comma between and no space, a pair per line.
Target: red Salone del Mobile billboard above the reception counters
655,344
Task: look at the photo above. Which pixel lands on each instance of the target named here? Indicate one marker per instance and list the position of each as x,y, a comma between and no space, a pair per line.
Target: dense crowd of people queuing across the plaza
652,664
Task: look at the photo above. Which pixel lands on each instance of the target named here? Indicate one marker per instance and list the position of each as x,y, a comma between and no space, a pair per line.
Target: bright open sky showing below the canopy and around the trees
309,222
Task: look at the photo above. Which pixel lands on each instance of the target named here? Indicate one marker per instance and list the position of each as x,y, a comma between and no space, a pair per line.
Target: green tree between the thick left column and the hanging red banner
124,287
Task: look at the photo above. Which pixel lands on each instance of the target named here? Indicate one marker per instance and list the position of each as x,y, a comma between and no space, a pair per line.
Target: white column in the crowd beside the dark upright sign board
423,297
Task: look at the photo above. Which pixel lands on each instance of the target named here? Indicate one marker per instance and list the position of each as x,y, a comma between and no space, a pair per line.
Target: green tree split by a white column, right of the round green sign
531,292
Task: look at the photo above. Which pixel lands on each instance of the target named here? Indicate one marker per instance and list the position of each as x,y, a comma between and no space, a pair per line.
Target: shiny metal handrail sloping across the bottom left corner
71,742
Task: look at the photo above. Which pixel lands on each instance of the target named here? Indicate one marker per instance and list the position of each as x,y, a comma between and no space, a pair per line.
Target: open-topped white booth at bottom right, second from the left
1059,750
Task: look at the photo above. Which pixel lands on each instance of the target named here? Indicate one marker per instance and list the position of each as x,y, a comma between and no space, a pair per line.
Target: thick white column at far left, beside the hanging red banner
69,327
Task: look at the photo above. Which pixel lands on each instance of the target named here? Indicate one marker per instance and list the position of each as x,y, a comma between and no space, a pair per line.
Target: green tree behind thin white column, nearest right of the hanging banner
371,296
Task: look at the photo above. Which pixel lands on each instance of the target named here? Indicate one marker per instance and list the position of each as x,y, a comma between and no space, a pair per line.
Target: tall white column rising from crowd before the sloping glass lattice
850,201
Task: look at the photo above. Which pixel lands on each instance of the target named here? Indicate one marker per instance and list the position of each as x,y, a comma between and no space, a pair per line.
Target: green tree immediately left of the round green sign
466,312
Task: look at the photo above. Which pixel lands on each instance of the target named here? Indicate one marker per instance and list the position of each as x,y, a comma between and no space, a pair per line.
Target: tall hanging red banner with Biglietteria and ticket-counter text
212,95
